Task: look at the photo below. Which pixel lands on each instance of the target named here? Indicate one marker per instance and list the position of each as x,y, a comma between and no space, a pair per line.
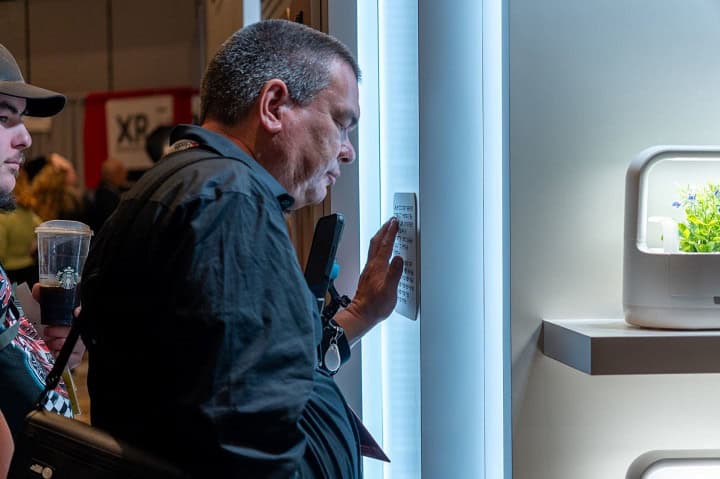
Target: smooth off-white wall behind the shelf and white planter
591,84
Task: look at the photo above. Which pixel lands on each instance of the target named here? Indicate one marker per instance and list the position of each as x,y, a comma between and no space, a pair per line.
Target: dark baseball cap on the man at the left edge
40,102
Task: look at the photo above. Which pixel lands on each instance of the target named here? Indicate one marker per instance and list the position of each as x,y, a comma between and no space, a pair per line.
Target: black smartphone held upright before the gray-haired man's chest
326,238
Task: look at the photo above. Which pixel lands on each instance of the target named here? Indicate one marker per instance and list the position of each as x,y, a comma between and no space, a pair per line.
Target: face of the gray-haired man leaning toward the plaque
316,140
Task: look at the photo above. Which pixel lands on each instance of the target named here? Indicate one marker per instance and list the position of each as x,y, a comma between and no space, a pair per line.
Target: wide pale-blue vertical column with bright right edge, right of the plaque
461,251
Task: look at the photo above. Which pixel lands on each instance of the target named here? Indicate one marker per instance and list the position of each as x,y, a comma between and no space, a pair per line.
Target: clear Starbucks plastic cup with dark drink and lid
62,249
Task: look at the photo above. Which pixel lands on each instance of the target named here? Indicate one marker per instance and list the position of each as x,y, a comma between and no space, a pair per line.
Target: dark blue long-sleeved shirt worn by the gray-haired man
201,330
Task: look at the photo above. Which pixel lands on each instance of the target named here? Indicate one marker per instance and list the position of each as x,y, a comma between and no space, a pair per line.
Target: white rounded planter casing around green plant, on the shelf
663,288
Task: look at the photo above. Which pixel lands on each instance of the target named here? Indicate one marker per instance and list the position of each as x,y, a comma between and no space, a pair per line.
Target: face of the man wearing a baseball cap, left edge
14,138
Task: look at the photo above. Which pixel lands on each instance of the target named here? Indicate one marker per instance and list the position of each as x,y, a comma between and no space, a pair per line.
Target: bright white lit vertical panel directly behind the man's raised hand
399,171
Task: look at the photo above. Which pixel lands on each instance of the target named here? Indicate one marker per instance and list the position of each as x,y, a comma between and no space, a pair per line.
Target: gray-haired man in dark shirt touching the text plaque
193,290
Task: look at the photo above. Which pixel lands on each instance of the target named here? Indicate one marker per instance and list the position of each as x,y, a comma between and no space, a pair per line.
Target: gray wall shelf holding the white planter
611,346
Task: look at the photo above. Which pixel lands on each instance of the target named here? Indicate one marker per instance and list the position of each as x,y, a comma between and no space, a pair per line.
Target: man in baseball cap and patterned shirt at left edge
25,356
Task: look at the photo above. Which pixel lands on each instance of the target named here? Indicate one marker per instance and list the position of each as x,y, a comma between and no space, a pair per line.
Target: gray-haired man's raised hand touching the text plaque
376,295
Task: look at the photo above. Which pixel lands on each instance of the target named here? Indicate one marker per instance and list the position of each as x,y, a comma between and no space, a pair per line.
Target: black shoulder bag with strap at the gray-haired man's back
53,446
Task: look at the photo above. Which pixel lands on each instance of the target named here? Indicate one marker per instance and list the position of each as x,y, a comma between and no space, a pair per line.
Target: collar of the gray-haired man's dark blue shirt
224,147
